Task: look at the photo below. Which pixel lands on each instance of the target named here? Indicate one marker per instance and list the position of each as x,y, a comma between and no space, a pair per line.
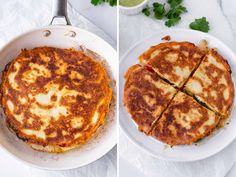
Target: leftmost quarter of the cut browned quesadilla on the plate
145,96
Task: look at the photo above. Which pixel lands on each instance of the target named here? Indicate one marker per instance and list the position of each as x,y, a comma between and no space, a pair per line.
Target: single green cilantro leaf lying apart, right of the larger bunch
200,24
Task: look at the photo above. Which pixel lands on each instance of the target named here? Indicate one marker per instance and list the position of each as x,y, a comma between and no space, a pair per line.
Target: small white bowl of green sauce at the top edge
132,7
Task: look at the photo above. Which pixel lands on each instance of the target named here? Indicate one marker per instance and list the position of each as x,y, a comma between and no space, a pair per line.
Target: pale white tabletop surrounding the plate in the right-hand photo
135,28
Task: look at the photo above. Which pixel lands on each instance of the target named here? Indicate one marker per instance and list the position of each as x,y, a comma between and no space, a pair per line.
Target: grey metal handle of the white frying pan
59,10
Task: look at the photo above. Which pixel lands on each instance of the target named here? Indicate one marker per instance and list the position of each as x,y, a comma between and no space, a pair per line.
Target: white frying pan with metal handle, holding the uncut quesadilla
62,36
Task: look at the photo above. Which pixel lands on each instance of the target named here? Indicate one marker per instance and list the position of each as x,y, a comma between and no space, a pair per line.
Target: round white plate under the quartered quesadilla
208,146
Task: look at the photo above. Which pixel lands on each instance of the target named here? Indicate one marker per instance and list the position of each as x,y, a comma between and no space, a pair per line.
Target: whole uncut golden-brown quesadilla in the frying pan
55,97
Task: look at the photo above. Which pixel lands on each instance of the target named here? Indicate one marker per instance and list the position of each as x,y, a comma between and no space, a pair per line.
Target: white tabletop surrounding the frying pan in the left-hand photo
15,19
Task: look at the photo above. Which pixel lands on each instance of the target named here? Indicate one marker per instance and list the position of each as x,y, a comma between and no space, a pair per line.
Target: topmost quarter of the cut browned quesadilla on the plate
173,61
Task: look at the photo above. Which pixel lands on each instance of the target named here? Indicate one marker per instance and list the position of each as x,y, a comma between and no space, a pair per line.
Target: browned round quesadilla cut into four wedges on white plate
184,119
